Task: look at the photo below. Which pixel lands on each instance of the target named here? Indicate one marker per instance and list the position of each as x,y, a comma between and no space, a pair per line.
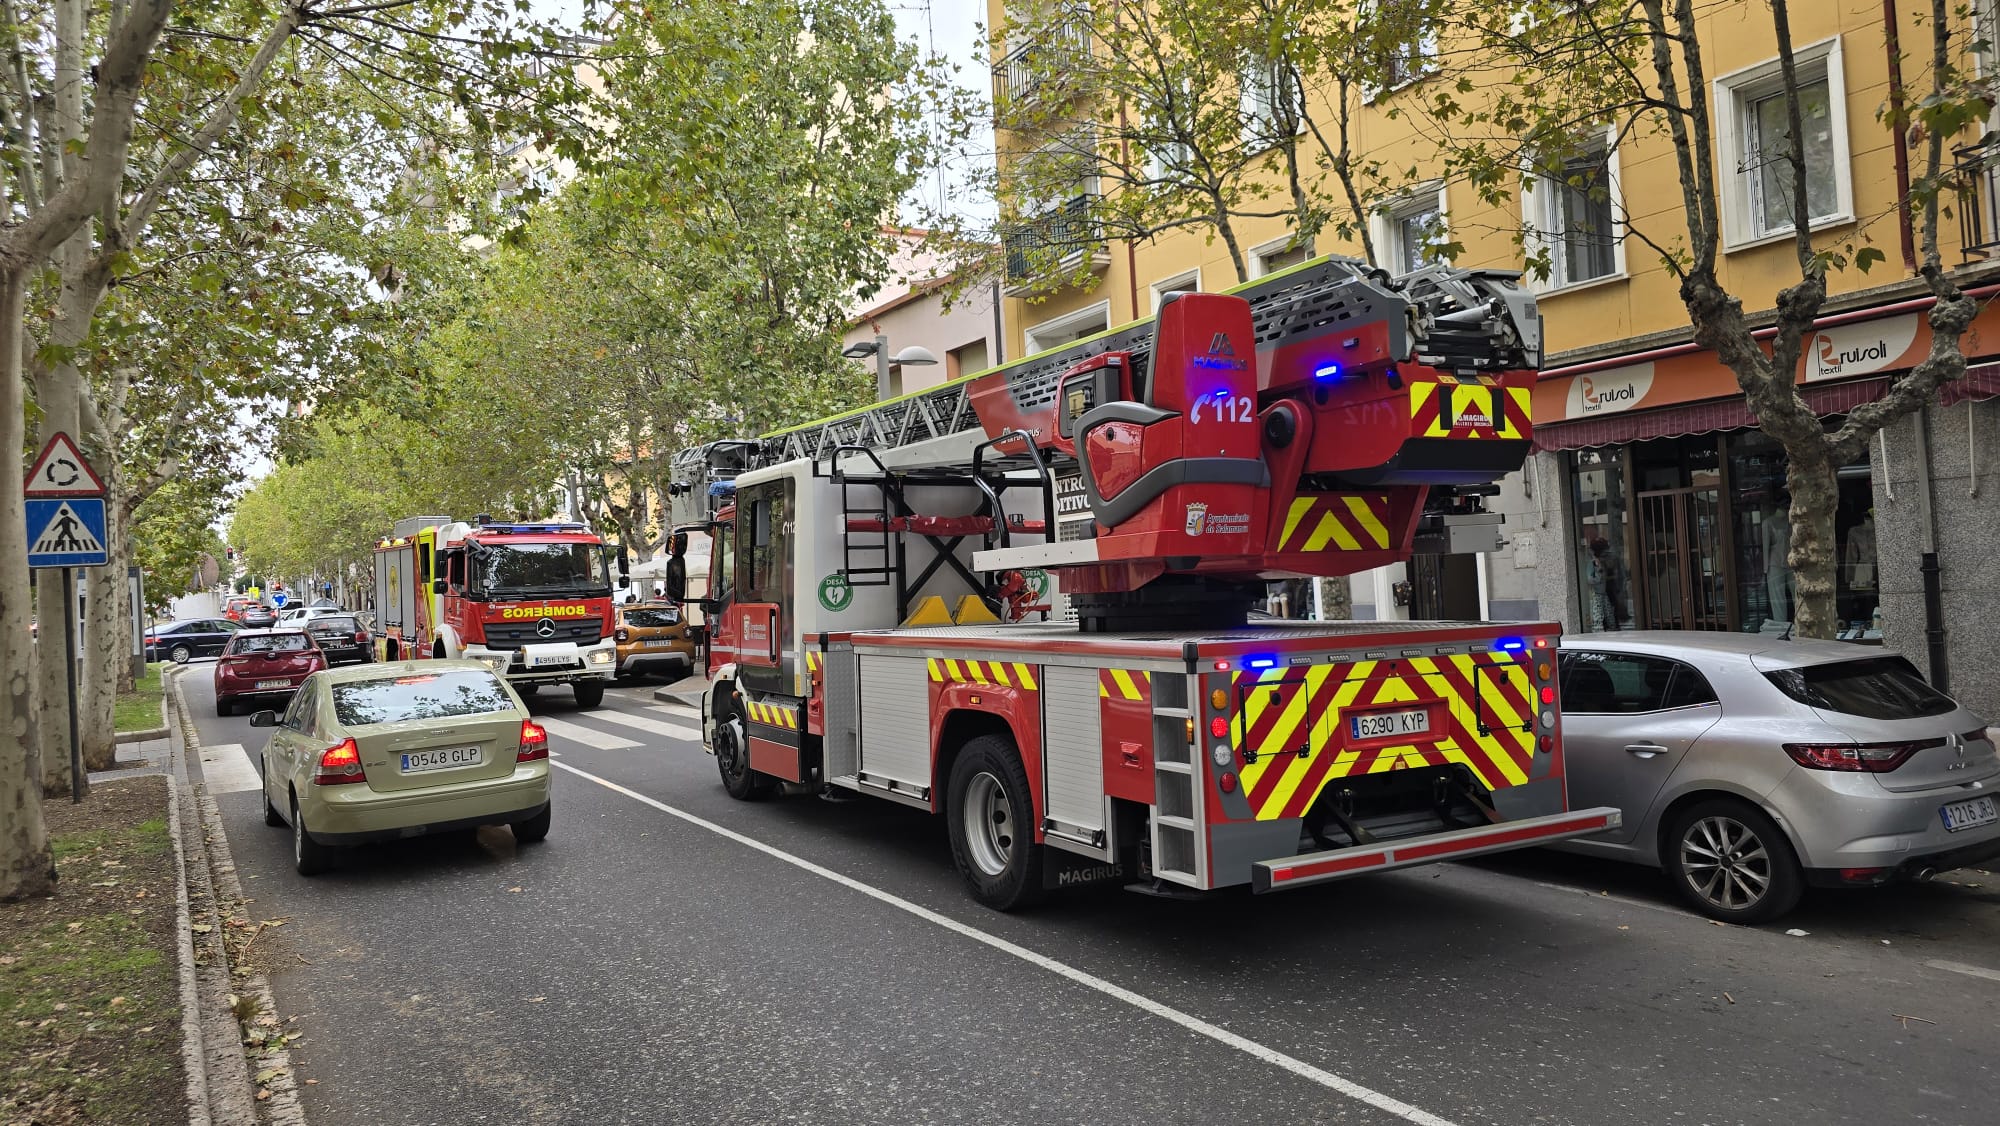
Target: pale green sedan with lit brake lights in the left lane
391,751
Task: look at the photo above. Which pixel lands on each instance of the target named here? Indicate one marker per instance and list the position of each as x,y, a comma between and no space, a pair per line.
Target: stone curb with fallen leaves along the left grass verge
213,889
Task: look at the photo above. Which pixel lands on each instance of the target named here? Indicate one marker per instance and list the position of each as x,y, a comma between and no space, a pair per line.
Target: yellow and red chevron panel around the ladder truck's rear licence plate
1291,709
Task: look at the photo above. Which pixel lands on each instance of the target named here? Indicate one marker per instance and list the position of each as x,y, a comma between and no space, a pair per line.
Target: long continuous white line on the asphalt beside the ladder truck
1061,969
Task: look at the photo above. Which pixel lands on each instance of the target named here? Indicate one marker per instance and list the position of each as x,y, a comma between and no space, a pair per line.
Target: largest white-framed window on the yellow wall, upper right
1755,137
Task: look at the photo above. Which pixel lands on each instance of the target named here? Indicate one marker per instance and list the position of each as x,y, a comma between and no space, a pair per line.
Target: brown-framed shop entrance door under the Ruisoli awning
1681,561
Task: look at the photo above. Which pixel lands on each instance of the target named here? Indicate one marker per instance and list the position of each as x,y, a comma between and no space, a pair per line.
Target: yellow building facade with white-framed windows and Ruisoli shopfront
1653,503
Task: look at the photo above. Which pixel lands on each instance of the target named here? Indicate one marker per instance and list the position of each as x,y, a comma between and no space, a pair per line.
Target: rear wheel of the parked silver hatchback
1733,863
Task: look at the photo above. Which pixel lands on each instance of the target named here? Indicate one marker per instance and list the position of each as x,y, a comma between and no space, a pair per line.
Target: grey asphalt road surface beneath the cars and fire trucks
801,961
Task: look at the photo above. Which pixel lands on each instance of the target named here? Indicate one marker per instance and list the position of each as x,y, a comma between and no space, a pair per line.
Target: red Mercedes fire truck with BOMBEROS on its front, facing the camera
529,599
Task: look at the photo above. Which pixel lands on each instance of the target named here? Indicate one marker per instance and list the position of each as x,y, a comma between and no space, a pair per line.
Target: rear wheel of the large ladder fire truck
989,813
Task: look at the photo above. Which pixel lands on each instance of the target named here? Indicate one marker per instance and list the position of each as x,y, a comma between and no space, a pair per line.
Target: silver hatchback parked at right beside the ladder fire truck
1753,767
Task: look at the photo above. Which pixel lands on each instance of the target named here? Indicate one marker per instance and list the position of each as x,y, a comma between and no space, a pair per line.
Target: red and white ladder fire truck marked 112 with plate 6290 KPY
881,619
